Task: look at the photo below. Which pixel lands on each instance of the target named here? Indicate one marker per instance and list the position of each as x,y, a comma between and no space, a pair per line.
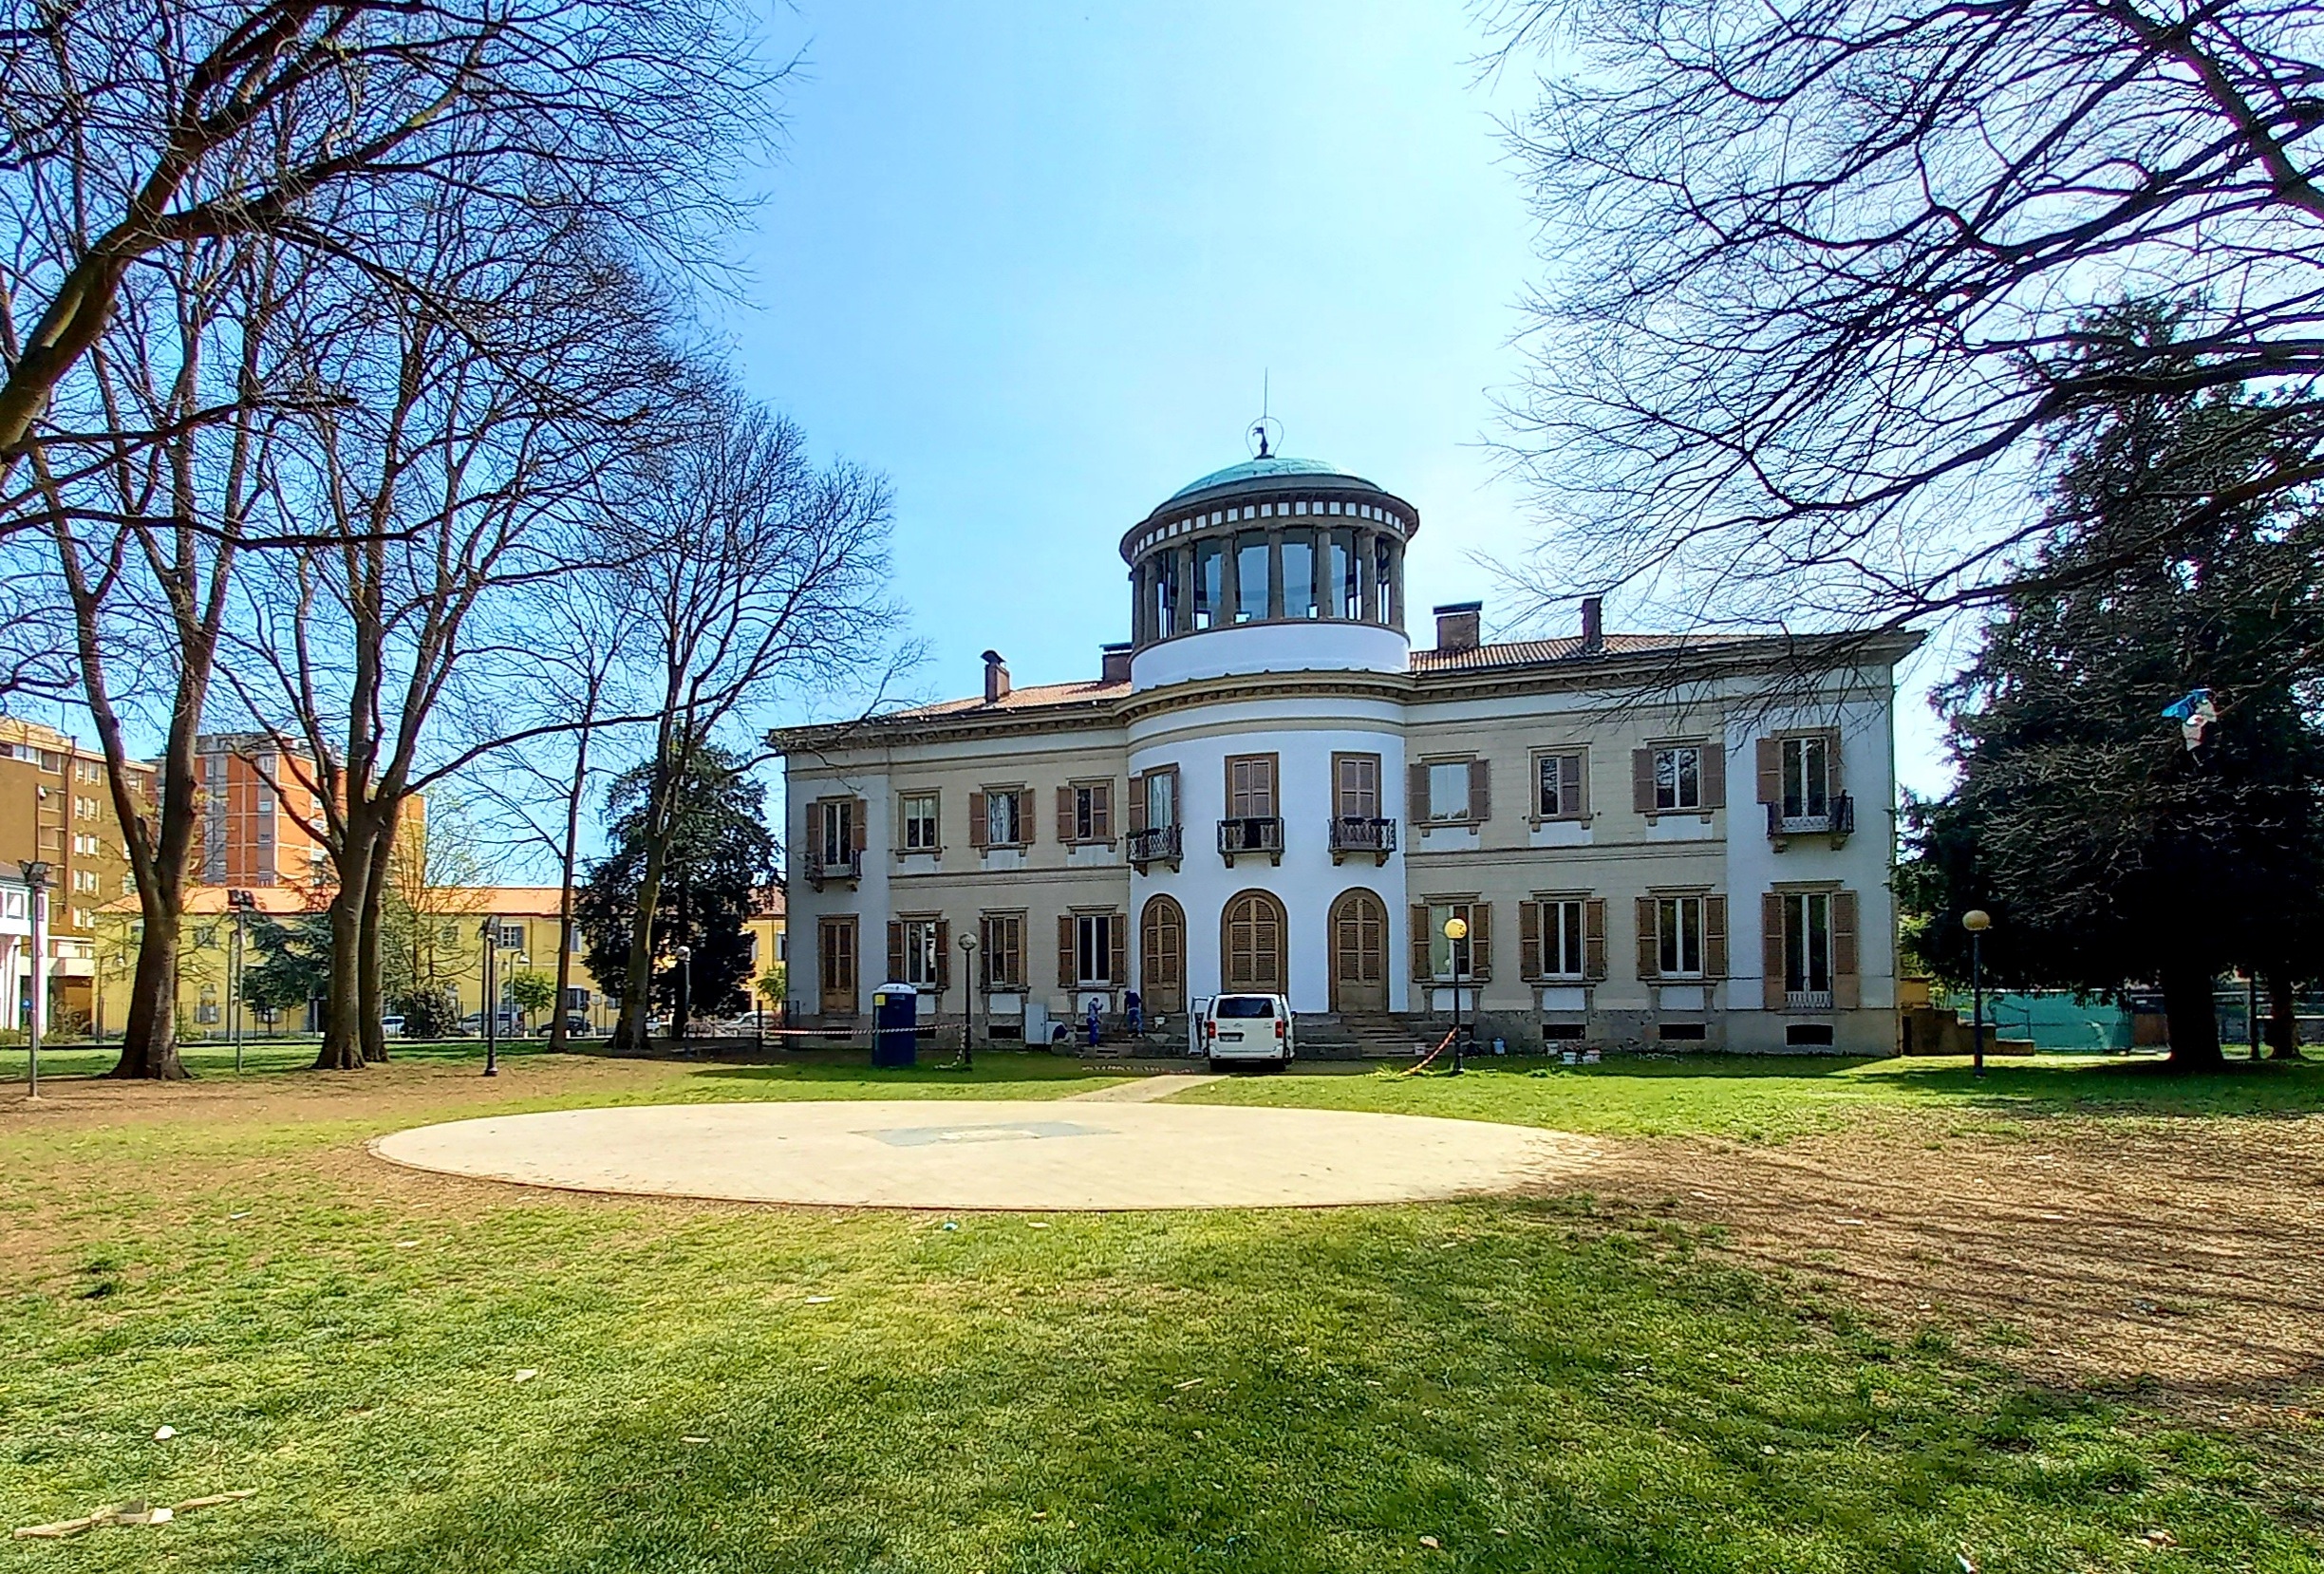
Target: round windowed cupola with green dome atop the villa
1270,548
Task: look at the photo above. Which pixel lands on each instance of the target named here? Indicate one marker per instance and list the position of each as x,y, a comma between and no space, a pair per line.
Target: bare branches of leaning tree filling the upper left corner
136,127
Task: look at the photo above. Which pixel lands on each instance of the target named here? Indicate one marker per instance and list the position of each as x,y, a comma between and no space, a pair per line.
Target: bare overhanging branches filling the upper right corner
1821,278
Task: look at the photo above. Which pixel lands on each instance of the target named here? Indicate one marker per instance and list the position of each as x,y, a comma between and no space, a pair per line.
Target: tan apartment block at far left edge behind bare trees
57,808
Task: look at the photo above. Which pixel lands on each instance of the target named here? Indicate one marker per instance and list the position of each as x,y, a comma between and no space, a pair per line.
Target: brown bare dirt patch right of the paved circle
2176,1254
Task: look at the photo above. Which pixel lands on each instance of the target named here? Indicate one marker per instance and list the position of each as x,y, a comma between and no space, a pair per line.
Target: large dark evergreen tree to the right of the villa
2111,854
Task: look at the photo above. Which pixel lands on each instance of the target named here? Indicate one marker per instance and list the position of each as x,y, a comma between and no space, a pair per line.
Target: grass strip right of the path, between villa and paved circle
1767,1099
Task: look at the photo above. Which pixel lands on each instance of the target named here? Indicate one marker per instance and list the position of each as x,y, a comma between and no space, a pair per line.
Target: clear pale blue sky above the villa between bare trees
1035,262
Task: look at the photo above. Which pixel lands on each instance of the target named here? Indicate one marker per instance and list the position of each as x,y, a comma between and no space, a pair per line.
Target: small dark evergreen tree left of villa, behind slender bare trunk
719,859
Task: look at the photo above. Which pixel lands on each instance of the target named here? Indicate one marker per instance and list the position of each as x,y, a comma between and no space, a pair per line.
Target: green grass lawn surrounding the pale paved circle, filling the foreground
1528,1385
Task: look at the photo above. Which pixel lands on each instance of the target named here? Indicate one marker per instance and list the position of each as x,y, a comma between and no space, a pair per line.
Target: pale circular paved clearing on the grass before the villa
945,1154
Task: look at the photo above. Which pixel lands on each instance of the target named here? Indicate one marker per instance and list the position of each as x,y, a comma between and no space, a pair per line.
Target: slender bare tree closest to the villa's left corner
747,571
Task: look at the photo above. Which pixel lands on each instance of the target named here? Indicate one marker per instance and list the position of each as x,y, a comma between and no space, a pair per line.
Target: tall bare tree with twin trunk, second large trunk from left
471,429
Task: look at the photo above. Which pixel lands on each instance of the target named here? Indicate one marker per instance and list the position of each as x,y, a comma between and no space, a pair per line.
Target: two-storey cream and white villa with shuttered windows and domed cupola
1651,840
